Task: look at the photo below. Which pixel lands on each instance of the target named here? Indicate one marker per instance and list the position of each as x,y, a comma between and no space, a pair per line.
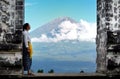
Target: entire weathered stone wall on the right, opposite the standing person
107,39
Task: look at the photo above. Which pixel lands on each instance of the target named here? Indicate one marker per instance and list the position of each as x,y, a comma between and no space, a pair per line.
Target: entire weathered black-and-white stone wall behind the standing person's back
11,22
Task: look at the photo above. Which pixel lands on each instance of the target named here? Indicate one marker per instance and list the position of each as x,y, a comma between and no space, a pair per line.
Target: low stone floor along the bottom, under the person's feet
61,75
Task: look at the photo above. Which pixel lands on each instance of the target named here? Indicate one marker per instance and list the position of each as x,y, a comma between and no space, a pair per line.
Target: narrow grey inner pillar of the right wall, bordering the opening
101,37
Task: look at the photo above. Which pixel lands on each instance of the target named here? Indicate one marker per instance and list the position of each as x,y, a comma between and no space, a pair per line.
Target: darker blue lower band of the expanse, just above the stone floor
63,66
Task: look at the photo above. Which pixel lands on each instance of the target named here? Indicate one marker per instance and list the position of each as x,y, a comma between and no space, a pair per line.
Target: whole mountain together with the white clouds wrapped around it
66,29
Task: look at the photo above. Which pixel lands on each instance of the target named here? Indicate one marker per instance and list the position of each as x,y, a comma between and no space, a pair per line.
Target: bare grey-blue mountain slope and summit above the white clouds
47,28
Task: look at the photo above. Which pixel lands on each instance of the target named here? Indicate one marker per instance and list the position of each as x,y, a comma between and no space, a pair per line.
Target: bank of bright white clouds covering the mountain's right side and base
82,31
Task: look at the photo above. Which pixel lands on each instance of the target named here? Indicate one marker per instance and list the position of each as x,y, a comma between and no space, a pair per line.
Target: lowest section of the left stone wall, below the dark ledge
11,63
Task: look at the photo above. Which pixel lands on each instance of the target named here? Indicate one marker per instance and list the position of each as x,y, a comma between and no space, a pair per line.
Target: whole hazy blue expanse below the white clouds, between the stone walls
72,58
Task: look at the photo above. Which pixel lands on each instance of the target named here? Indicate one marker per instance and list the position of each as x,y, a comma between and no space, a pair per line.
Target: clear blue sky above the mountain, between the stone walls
39,12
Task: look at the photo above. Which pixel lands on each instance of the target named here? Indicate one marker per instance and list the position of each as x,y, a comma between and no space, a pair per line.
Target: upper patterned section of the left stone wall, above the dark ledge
11,21
